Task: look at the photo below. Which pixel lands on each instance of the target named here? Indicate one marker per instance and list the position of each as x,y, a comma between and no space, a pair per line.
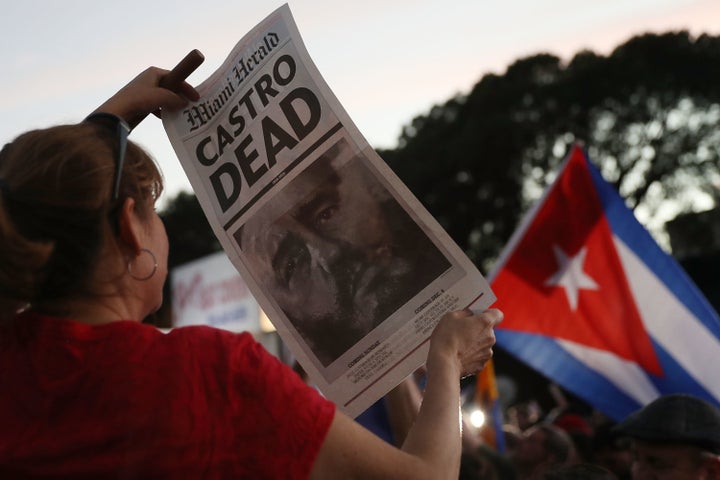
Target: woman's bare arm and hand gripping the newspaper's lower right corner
461,344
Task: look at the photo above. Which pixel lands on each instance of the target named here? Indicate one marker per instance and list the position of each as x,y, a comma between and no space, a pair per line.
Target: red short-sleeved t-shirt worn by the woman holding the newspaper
124,400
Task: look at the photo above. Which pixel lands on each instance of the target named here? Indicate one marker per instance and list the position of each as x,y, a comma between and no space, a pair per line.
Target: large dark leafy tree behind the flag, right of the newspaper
647,114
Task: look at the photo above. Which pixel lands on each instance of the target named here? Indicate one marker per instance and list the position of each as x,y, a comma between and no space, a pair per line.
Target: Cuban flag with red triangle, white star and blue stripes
594,304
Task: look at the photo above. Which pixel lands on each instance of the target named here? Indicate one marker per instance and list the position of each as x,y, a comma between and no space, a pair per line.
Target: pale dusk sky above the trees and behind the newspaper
386,60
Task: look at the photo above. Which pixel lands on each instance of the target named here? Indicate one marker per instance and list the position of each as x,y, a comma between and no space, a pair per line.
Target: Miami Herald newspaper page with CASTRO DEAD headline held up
349,266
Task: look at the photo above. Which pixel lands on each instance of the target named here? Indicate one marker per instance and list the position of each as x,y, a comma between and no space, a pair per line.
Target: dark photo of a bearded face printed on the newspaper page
337,252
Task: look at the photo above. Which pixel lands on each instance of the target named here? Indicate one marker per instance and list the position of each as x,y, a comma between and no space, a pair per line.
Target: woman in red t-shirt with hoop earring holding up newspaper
89,391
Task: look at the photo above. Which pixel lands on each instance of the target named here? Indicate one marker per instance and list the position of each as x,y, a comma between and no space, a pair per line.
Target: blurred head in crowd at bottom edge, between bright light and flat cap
541,448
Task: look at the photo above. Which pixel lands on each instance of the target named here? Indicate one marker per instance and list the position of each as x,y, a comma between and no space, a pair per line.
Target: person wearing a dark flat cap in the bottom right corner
674,437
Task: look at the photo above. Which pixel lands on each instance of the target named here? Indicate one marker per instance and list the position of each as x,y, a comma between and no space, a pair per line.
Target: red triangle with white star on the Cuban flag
564,278
